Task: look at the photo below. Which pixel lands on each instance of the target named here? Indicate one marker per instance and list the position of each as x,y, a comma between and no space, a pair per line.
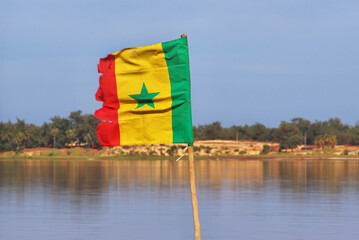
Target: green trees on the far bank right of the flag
290,134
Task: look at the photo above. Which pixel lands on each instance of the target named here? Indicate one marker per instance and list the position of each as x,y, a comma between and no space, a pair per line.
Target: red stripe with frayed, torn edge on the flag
108,132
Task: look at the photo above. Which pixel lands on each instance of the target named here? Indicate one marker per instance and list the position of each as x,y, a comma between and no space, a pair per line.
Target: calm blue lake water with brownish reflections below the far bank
150,199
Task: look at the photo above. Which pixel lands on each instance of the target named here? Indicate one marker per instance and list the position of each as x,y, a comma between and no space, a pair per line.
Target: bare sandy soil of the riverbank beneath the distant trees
201,148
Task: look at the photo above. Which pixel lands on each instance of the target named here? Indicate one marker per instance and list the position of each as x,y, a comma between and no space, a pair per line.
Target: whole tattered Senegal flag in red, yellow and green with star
146,95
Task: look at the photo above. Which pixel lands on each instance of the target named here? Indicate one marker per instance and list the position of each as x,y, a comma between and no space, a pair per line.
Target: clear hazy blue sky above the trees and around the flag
251,61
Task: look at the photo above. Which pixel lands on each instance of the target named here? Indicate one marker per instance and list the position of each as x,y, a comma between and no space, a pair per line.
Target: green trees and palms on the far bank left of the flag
76,130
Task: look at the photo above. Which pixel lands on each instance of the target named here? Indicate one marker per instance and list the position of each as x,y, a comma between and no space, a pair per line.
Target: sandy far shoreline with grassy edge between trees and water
210,149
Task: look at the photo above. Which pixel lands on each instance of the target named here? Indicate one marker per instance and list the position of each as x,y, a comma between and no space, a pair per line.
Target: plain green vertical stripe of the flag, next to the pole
176,54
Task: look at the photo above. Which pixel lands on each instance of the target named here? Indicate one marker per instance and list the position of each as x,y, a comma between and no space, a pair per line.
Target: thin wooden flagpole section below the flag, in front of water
197,227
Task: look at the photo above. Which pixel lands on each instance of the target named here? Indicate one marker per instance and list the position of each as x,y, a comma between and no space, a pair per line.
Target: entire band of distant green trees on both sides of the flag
80,130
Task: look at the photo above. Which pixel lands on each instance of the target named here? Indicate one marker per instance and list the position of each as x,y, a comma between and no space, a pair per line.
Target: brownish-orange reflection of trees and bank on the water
97,176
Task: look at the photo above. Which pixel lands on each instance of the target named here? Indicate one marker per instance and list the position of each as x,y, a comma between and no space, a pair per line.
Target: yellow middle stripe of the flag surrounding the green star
134,68
